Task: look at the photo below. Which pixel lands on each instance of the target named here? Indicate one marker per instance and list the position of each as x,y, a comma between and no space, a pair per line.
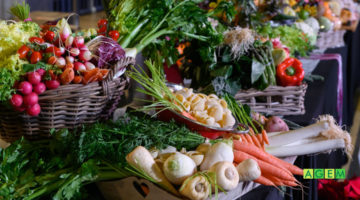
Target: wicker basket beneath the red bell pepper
275,100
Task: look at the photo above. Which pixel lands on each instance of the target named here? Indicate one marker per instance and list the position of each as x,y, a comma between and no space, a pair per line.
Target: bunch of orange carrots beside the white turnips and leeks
274,171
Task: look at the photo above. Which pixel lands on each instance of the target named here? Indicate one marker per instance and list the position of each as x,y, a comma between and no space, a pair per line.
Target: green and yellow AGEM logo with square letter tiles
324,174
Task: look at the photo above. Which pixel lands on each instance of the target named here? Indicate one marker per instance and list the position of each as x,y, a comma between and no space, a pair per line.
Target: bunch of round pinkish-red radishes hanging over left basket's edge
27,97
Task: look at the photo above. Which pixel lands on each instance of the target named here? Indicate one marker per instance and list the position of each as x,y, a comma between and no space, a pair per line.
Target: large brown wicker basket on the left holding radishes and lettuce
66,107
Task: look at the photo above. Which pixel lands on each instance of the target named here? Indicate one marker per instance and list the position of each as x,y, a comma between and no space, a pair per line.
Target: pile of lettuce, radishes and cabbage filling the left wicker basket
58,57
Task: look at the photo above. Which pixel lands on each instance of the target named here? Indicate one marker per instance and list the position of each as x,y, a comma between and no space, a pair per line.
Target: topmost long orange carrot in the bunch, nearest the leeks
258,153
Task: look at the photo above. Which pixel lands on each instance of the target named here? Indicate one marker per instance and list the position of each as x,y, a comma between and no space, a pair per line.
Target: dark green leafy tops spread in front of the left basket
62,164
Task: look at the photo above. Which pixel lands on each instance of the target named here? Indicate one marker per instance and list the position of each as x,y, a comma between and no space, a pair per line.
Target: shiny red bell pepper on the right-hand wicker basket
290,72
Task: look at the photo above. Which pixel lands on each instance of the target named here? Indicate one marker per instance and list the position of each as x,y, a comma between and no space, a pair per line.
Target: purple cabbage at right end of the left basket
109,52
